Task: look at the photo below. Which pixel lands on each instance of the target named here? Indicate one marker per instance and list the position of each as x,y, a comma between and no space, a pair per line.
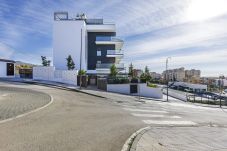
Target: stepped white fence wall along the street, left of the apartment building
50,74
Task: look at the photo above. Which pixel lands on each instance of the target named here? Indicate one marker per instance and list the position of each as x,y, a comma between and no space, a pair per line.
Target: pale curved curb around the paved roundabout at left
27,113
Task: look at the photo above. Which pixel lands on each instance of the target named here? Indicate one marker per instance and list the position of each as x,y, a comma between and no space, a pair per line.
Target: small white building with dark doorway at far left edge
7,68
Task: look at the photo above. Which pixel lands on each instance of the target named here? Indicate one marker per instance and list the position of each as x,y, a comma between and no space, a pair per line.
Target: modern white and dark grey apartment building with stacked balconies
92,44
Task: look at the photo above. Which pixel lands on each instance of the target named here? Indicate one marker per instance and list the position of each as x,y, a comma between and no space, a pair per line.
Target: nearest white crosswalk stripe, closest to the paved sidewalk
169,122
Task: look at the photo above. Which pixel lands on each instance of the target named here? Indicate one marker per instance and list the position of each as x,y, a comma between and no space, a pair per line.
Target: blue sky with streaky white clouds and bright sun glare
192,32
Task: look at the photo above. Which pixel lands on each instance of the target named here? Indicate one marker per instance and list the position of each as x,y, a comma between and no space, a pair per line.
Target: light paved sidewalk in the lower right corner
182,138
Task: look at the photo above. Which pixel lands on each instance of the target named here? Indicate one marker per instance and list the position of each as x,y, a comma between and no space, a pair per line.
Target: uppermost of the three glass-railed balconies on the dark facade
107,40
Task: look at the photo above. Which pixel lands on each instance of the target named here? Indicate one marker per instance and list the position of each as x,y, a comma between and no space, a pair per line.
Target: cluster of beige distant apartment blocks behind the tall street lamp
182,75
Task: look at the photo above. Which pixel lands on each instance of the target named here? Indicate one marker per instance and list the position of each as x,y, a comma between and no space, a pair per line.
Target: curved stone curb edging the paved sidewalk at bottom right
131,142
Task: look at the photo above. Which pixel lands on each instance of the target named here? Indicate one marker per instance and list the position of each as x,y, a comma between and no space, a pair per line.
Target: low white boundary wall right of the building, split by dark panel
143,90
